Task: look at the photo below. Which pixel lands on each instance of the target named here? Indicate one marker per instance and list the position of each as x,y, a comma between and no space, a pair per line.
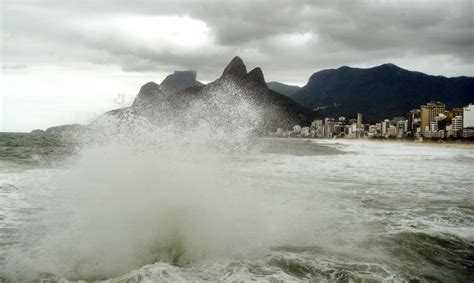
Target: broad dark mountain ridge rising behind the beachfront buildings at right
380,92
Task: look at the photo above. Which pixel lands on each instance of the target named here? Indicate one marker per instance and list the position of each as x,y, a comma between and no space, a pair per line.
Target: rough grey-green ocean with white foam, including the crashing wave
268,210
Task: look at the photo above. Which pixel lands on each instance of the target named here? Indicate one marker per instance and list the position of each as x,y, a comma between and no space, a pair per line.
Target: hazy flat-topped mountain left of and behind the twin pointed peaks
152,92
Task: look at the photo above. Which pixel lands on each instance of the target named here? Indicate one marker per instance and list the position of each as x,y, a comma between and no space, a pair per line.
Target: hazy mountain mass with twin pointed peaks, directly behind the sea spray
169,102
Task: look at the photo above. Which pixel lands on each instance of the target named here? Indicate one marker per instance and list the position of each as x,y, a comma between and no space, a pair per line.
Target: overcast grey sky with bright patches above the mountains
68,61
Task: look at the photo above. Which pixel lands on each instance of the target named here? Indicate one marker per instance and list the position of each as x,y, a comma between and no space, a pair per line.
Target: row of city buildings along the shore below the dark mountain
430,121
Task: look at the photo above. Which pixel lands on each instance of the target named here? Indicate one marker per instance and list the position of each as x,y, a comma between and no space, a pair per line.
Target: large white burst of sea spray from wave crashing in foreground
144,190
